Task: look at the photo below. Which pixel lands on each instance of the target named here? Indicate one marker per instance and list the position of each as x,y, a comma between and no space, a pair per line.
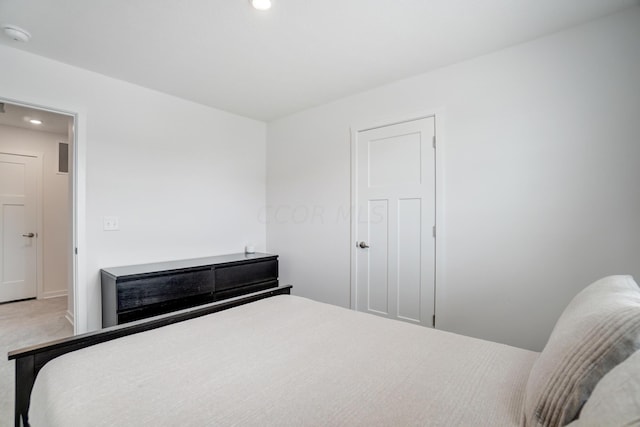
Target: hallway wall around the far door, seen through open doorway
55,203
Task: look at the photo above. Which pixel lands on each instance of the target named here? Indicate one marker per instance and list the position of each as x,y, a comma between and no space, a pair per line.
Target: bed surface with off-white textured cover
285,360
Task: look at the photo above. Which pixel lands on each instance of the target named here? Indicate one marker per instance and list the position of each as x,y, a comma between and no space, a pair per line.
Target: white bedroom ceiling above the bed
301,53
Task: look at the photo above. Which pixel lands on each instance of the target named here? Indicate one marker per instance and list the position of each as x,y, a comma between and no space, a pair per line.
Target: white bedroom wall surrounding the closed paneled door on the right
541,169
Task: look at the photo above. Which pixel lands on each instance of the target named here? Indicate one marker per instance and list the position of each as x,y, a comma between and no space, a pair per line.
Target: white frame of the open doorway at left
79,317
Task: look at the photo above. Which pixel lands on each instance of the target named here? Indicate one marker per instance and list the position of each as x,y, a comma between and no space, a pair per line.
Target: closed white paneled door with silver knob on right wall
395,219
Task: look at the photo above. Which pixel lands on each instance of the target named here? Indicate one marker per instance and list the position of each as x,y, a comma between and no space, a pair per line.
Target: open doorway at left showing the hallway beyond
37,204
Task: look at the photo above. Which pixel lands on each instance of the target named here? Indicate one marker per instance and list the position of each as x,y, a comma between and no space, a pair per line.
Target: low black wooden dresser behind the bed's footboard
139,291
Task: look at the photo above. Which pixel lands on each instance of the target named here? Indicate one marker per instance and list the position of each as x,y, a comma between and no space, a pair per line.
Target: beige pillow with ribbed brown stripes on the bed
599,329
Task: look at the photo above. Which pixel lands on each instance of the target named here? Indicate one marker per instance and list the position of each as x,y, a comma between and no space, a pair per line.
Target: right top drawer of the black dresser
232,276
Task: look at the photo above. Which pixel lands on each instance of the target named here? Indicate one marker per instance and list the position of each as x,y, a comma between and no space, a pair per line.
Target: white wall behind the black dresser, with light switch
185,180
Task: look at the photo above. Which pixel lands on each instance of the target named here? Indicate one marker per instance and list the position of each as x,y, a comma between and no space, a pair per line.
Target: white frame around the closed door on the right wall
439,118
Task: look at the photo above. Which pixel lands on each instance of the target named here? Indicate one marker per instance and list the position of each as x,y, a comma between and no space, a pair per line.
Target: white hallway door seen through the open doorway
18,226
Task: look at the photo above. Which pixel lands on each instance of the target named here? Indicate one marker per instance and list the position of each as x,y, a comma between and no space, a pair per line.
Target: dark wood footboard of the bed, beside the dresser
30,360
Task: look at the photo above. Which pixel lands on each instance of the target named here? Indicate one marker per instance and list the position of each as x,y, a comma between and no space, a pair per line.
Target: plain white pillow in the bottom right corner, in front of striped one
616,399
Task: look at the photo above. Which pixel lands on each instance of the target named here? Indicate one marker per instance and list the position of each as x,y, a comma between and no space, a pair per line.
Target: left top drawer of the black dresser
166,287
